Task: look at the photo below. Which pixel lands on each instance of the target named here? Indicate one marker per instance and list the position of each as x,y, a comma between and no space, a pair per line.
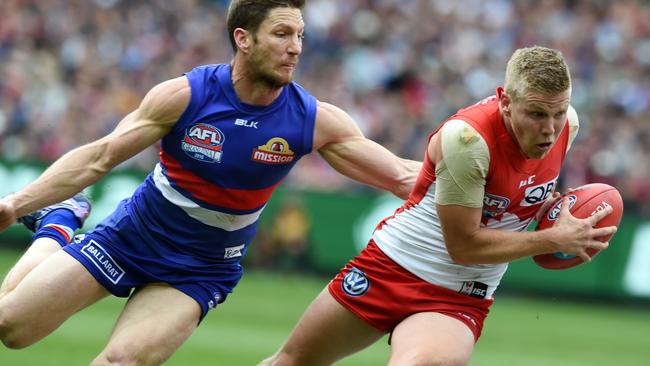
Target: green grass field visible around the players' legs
260,314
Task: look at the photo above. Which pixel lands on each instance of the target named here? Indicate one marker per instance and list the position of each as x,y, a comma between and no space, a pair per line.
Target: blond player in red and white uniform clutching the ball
429,272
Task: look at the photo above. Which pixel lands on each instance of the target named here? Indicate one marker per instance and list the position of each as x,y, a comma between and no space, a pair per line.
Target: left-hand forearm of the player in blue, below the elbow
70,174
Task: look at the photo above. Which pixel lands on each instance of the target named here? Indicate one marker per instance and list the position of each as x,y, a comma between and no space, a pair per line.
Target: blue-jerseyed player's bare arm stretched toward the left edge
83,166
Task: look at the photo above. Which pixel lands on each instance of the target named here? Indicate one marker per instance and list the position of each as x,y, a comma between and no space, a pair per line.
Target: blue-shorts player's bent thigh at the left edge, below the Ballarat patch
49,294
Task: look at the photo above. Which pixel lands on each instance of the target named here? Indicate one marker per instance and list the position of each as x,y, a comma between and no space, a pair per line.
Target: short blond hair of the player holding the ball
536,69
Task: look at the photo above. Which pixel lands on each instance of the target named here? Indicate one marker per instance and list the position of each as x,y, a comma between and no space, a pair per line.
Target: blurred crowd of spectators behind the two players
71,69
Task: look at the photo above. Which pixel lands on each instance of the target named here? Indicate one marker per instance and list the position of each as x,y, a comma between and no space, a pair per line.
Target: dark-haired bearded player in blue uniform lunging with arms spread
230,133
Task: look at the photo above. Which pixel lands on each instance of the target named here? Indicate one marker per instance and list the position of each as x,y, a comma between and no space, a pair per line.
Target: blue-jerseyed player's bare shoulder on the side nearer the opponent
333,125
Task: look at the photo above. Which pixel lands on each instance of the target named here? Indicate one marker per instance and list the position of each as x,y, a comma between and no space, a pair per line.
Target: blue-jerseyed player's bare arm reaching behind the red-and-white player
342,144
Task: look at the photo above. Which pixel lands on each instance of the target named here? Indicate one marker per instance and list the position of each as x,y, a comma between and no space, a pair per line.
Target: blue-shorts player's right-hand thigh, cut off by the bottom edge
156,320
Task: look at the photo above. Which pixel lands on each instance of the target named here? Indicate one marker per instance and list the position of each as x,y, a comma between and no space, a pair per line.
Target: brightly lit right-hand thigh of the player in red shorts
431,339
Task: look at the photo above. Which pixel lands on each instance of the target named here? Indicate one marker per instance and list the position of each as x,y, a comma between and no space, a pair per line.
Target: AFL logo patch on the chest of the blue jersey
203,142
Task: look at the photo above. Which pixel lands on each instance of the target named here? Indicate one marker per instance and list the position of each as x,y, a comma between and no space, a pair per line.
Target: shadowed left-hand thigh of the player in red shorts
326,332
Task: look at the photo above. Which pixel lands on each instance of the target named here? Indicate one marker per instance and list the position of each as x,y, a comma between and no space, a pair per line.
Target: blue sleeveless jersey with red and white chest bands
217,170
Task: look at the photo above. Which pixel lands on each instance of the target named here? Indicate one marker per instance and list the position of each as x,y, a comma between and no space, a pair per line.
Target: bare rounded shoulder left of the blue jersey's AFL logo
166,101
